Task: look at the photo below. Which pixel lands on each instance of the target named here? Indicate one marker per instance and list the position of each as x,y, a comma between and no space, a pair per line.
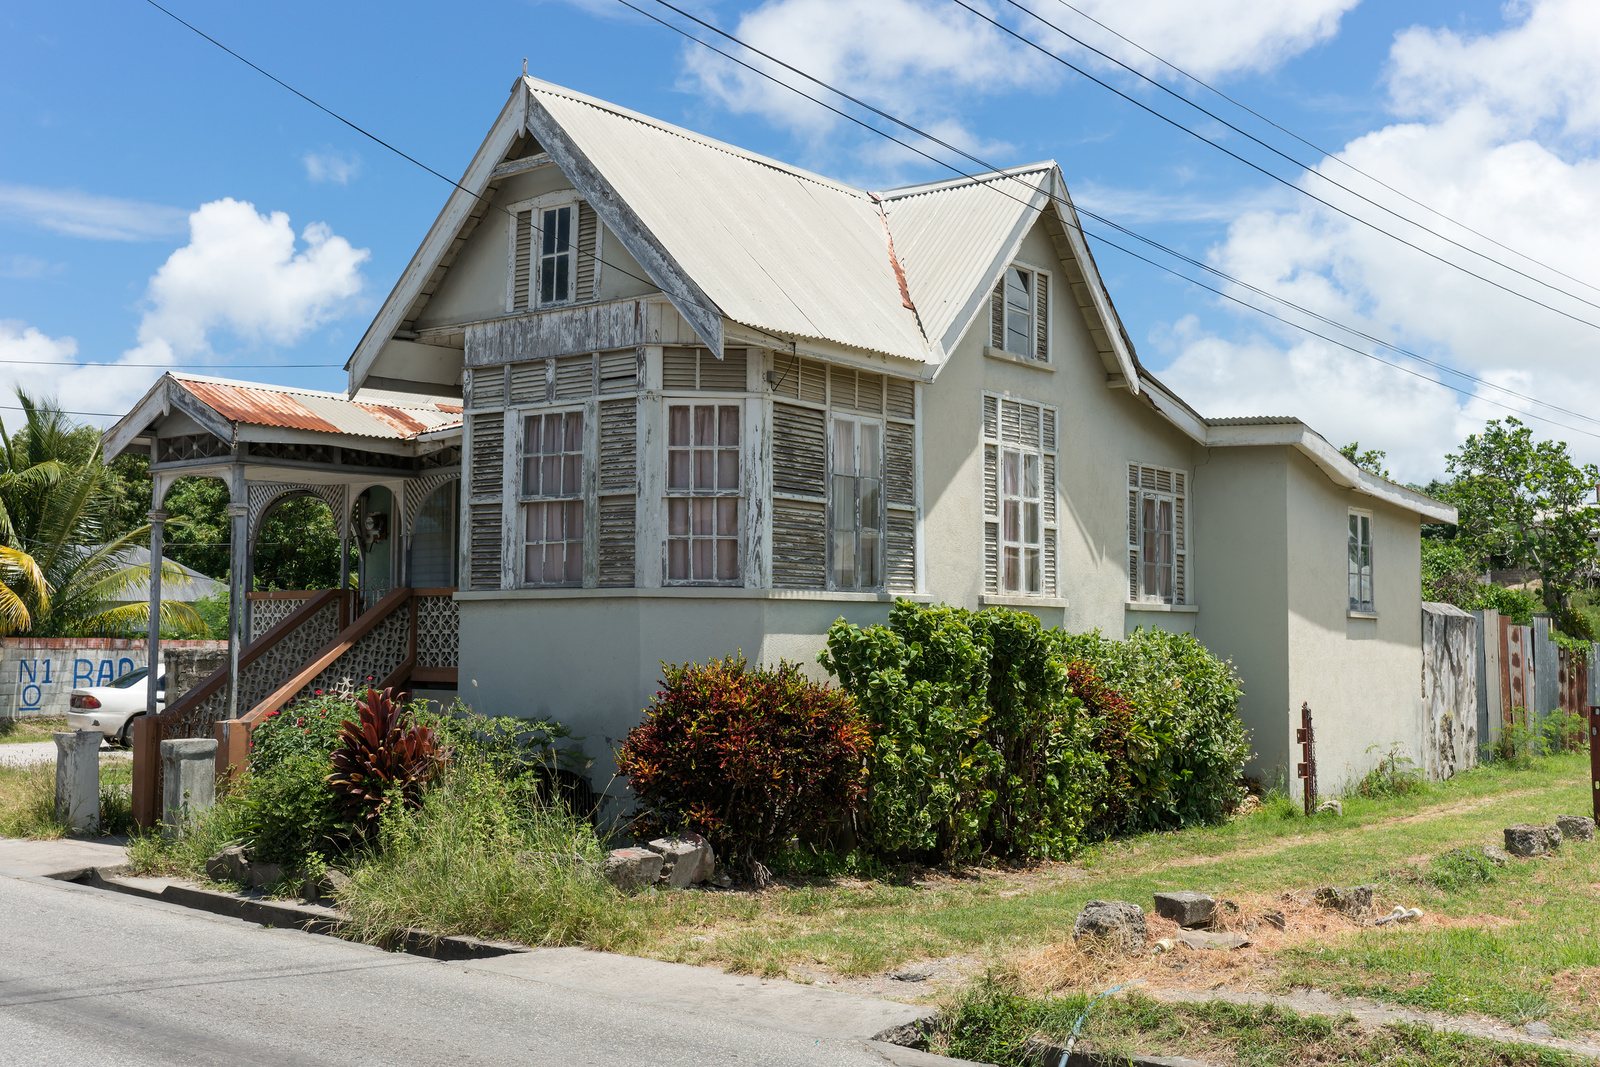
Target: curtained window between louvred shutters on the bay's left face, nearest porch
553,489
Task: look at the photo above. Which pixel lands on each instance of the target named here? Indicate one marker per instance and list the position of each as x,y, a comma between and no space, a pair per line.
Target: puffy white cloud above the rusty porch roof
242,273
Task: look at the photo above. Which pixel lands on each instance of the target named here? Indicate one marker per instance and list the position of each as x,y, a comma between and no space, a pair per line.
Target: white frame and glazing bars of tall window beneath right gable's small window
1047,458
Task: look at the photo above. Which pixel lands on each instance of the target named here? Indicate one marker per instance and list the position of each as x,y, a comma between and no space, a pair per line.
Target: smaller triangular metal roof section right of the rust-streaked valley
948,238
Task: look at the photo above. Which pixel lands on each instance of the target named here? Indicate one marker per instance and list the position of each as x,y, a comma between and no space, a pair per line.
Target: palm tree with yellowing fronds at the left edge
62,575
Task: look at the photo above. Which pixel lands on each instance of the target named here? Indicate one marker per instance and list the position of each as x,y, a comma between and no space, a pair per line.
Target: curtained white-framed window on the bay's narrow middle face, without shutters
703,494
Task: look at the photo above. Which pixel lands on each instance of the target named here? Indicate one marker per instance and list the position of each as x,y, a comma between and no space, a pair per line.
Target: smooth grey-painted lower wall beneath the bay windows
591,658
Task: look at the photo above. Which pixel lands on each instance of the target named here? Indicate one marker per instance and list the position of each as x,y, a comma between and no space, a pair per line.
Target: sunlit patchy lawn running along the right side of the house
1522,946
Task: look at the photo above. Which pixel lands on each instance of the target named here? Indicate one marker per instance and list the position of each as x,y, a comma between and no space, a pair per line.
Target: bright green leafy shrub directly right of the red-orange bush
977,741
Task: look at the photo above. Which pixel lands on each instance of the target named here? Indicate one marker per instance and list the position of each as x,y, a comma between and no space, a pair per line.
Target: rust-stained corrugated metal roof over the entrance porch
311,410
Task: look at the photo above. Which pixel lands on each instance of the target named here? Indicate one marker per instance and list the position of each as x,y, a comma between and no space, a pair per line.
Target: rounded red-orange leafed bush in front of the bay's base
748,757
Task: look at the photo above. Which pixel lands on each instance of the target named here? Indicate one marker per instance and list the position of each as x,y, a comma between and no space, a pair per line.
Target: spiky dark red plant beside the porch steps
383,759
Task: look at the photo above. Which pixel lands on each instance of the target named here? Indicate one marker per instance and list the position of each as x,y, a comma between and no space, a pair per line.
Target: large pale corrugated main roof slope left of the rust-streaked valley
772,246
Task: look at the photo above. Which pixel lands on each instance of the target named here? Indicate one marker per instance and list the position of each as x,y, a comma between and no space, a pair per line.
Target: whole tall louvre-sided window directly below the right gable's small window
1020,498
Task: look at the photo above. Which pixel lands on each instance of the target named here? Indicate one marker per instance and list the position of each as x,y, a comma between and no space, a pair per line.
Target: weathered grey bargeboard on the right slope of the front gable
698,310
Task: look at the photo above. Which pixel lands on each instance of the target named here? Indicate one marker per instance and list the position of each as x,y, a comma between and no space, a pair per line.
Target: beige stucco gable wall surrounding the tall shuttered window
1100,431
